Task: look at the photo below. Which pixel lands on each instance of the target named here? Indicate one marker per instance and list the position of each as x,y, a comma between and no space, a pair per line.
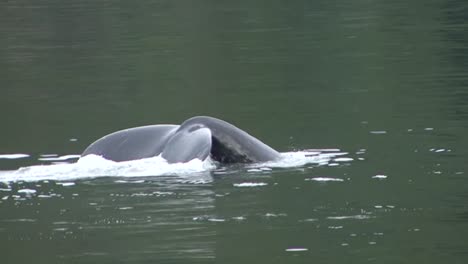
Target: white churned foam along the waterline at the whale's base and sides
93,166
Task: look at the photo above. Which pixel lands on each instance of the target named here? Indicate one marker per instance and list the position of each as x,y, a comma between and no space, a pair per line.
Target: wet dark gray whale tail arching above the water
198,137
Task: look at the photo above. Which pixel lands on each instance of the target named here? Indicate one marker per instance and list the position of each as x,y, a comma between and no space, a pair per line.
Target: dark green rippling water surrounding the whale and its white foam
385,81
